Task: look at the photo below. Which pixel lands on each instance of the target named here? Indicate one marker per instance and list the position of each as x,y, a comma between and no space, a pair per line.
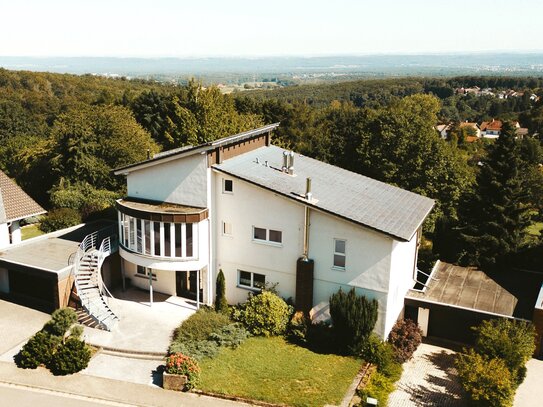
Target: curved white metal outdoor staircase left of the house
91,290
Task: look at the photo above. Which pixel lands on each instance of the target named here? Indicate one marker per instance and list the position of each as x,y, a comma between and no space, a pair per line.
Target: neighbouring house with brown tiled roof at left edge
15,205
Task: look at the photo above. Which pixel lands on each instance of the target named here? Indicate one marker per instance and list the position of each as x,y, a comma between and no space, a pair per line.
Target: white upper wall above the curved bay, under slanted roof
180,181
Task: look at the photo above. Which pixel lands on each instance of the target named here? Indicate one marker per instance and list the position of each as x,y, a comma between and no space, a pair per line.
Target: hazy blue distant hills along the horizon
512,64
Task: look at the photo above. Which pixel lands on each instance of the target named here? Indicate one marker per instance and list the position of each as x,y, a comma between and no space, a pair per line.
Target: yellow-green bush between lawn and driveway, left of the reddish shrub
382,354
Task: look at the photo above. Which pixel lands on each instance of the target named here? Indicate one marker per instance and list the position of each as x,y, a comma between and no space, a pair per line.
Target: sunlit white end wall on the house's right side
401,279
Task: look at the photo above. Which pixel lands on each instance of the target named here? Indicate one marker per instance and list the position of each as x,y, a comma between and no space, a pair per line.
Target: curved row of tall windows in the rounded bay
161,239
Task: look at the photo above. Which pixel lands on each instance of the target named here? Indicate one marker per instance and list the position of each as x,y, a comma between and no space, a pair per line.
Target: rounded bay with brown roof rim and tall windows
160,231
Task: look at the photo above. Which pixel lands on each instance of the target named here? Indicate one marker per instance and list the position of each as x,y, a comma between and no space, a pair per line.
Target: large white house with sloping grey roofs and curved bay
262,214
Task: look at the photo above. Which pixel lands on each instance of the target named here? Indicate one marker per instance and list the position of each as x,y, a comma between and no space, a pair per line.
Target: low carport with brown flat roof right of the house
455,298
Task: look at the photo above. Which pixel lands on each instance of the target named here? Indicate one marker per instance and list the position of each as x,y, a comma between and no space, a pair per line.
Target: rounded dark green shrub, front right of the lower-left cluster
70,357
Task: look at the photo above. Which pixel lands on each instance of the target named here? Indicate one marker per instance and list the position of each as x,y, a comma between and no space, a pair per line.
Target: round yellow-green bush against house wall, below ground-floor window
265,314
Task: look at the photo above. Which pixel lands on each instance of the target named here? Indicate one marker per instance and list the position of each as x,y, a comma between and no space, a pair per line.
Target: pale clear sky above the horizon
152,28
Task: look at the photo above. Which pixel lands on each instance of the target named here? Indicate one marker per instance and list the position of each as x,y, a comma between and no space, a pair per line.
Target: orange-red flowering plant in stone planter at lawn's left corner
181,374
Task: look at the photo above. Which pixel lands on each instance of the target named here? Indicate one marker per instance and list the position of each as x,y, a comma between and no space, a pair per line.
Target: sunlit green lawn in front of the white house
271,369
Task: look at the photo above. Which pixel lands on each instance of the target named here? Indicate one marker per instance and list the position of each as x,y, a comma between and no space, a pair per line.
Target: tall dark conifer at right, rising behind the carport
496,215
